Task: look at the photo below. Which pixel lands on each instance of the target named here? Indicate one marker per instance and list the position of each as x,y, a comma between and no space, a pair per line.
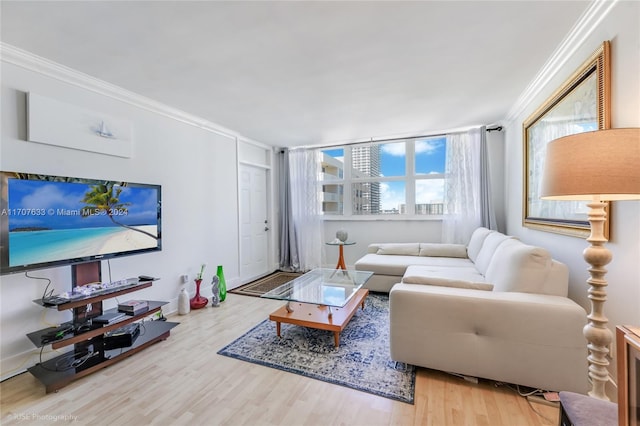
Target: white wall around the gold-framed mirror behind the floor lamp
623,305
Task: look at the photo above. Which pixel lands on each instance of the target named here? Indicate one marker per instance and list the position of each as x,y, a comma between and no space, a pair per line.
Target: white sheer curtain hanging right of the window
462,206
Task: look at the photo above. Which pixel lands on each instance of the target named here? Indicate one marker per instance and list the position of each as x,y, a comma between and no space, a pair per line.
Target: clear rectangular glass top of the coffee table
329,287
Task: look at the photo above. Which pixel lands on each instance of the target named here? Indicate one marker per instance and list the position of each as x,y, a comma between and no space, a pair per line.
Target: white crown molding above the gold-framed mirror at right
586,24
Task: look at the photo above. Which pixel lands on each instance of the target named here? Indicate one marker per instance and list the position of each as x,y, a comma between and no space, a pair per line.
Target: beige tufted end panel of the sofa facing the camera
529,339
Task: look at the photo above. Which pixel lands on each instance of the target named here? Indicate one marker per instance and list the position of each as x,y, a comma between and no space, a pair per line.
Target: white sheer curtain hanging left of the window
306,207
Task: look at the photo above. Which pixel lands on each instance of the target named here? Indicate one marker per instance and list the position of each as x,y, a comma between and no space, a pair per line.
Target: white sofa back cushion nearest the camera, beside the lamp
519,267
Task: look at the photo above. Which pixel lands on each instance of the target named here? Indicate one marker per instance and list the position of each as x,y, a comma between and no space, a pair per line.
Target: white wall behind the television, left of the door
197,169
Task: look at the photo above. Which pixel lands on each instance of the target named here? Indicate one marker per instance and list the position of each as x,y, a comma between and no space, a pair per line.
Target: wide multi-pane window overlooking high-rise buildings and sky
404,177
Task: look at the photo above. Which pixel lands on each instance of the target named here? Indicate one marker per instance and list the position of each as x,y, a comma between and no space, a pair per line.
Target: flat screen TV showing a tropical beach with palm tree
48,221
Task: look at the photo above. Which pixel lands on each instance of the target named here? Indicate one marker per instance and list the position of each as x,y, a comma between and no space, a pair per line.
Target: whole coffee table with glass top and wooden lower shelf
321,300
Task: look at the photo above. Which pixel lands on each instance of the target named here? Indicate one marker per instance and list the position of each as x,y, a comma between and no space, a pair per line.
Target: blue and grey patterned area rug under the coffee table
360,362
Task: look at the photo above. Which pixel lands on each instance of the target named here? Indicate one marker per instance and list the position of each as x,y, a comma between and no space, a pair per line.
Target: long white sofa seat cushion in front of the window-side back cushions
397,265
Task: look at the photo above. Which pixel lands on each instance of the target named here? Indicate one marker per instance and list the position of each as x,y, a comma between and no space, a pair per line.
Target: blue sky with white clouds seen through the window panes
430,158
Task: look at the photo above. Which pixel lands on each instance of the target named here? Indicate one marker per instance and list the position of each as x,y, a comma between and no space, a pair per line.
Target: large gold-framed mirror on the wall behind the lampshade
581,104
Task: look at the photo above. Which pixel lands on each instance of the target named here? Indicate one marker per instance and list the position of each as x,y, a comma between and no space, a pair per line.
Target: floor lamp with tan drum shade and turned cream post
598,166
